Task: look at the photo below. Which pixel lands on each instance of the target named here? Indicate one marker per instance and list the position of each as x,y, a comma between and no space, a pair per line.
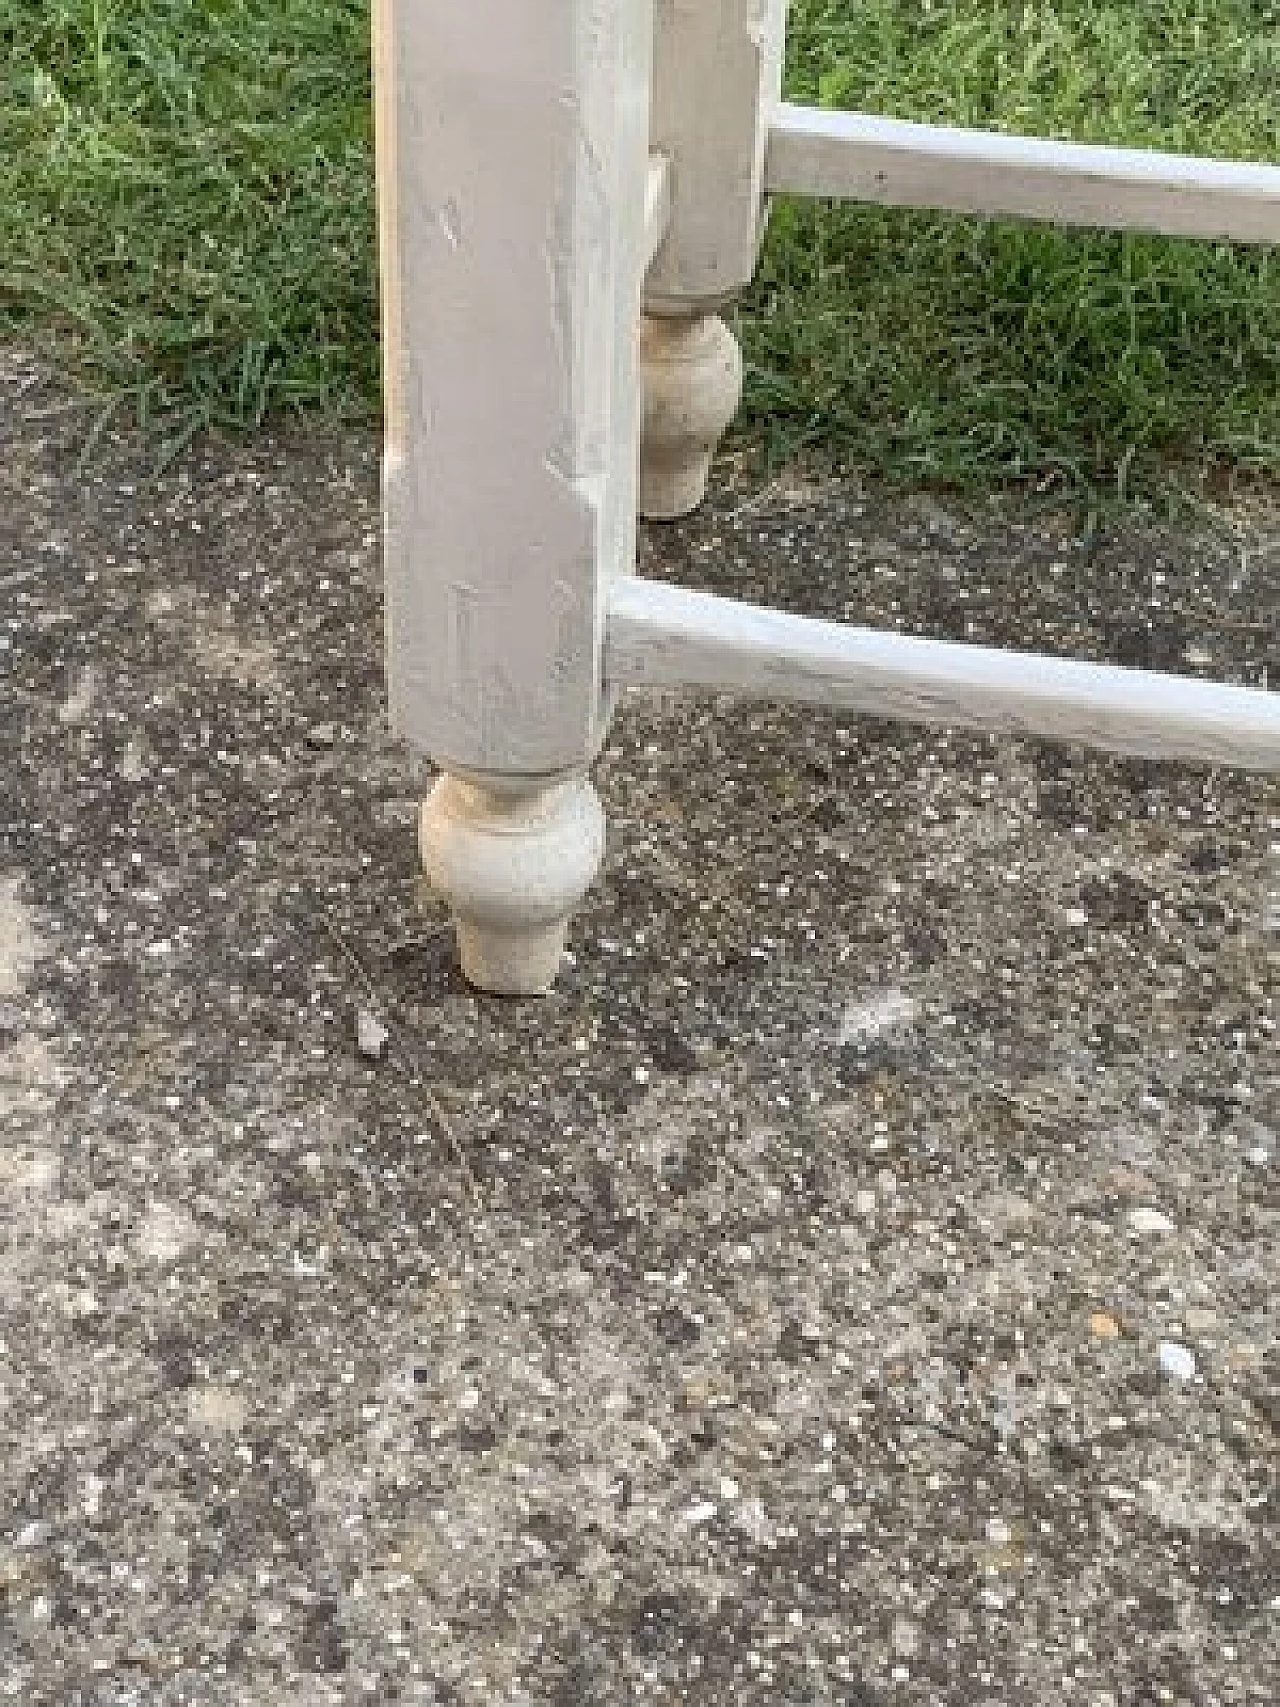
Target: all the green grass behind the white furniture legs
187,216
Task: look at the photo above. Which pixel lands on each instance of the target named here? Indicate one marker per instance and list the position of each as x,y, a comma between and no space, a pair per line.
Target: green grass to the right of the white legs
929,347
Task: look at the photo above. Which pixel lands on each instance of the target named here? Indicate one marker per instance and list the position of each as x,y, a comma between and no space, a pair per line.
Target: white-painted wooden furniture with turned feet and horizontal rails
571,194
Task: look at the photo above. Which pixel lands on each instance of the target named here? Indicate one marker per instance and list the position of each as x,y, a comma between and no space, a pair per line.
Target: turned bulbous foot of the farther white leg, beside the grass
692,388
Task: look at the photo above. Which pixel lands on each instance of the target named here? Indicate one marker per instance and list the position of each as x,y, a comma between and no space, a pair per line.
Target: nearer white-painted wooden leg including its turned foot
518,207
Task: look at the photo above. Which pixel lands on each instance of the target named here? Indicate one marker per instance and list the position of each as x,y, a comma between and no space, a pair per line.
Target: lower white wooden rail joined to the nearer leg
670,638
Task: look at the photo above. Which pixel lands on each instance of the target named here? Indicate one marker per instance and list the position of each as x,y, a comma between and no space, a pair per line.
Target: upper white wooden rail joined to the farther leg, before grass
864,158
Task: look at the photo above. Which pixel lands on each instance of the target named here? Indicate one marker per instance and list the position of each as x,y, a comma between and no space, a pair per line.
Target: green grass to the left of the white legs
187,201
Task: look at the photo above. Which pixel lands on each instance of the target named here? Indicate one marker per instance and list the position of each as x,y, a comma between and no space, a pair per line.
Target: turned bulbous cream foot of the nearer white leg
515,863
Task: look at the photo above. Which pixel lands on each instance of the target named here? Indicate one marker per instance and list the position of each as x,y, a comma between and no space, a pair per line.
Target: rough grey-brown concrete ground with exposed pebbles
856,1285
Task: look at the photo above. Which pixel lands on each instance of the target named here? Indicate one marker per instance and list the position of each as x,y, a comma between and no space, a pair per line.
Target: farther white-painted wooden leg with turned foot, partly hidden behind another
718,81
